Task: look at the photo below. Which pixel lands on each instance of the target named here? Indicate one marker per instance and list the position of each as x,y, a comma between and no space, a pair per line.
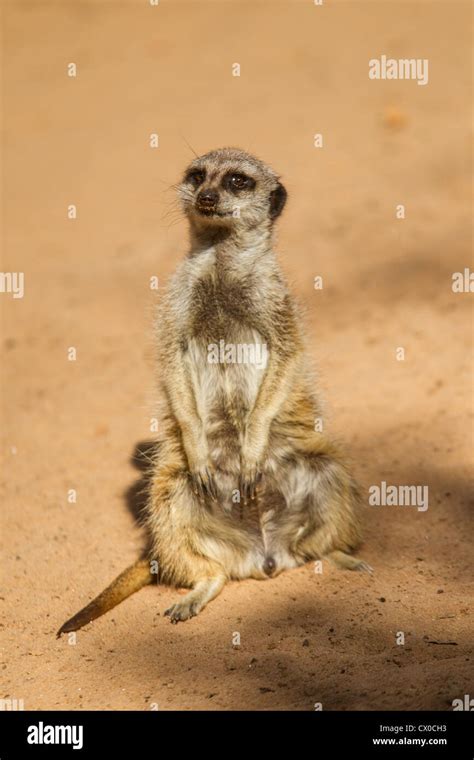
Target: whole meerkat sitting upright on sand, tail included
242,485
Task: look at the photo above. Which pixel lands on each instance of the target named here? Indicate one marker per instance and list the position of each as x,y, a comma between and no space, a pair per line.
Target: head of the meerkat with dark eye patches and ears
230,188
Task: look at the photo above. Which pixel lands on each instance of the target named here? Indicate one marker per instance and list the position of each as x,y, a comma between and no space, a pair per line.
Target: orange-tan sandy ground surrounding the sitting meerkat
305,637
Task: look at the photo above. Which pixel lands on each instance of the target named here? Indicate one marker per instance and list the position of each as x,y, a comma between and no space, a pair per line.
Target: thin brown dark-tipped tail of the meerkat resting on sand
132,579
